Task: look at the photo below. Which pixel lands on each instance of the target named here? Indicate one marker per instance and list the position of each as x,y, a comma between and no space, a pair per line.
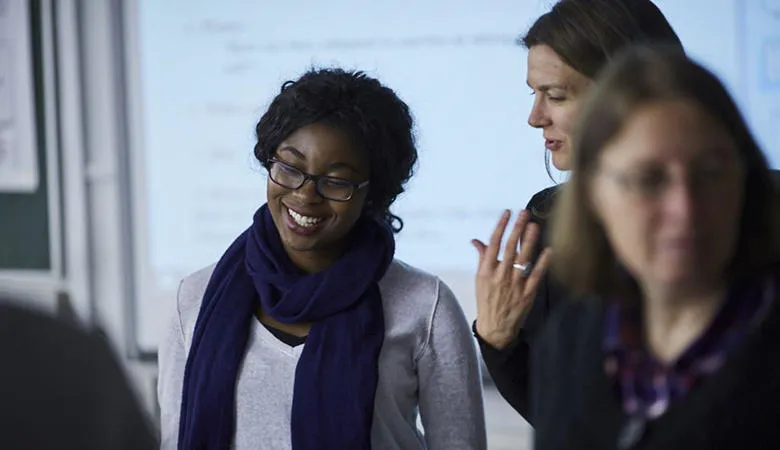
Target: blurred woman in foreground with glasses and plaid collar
670,223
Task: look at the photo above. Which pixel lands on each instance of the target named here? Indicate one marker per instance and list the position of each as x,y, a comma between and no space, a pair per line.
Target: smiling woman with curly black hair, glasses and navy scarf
308,334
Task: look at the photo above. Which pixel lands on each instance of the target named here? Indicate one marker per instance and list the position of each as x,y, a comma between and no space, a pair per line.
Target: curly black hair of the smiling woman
378,121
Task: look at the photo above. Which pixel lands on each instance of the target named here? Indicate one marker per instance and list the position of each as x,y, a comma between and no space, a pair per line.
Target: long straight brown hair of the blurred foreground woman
584,259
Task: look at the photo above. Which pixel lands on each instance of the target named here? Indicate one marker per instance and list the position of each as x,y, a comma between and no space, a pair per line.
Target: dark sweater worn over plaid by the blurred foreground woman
574,405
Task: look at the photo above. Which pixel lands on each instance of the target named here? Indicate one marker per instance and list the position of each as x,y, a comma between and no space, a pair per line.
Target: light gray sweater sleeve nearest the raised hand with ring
450,384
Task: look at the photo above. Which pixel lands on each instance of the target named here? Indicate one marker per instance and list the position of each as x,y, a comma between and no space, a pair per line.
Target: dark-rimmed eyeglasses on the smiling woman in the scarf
331,188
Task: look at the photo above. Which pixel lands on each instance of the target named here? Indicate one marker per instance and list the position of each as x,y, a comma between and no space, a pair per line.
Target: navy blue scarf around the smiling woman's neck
336,376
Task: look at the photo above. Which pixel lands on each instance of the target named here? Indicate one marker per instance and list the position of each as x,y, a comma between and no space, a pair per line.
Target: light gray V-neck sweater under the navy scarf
428,363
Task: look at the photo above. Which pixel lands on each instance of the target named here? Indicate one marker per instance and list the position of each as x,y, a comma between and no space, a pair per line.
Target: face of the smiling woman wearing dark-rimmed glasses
314,218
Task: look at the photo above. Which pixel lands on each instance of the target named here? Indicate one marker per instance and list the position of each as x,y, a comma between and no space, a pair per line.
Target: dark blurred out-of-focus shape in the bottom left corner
62,388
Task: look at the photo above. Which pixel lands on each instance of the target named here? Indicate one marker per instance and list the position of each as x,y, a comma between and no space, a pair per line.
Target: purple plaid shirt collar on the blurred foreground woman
647,386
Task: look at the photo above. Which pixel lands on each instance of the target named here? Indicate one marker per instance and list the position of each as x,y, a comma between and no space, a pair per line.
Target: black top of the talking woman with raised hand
509,367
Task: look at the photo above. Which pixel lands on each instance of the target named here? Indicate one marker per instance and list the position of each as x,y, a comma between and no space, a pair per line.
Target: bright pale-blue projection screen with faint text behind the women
202,73
